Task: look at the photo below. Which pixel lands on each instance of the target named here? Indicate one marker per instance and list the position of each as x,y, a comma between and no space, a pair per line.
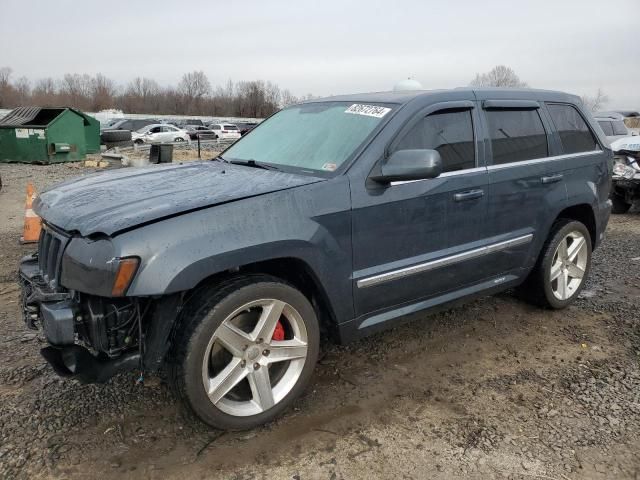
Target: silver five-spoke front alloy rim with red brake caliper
255,357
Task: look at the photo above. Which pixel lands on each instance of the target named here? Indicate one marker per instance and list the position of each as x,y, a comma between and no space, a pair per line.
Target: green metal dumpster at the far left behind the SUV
47,135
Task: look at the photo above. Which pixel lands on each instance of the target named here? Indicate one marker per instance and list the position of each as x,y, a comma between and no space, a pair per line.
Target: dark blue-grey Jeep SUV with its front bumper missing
343,215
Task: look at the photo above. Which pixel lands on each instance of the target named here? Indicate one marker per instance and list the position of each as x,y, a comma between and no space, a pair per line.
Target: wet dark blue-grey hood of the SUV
116,200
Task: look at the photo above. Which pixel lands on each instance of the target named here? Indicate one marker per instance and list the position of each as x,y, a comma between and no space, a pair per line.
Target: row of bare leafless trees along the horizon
193,95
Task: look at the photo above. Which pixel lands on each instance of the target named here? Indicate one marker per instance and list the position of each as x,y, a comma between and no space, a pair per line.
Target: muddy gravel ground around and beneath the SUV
493,389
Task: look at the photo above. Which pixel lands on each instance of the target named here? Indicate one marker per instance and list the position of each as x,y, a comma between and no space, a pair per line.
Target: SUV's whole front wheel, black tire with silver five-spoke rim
244,351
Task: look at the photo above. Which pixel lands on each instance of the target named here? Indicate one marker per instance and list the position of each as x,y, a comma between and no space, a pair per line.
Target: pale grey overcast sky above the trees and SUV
332,46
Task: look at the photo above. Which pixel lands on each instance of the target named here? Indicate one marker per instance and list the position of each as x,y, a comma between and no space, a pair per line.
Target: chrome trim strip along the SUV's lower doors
442,262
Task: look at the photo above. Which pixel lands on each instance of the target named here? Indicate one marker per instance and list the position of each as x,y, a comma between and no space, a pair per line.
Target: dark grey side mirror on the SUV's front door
405,165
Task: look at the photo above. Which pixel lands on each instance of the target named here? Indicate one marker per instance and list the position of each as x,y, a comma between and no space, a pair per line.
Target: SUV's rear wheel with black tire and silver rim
562,267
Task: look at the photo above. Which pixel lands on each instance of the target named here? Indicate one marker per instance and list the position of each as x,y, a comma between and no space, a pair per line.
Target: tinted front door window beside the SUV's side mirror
450,132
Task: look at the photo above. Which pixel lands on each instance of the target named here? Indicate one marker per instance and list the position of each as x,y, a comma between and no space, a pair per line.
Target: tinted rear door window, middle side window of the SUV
516,135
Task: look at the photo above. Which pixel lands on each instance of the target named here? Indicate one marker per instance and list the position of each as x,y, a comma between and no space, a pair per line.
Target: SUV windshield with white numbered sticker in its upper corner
314,136
